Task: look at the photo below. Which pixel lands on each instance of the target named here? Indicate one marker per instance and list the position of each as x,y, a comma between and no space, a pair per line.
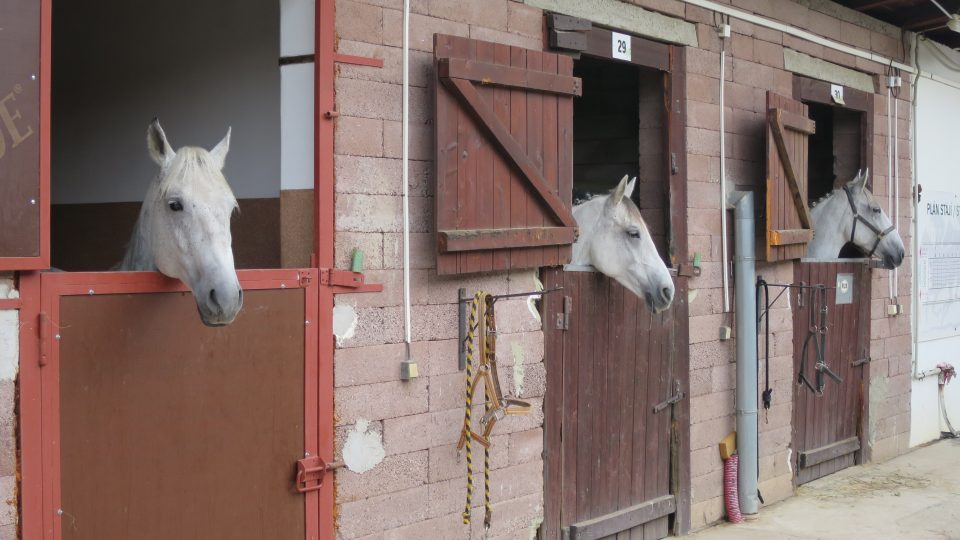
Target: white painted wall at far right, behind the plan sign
937,326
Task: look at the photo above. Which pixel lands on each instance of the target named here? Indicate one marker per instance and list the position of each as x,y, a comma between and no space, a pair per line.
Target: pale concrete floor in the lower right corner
916,495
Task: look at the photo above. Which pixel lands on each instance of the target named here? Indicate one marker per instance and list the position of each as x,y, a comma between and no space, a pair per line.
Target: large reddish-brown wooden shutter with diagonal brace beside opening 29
504,156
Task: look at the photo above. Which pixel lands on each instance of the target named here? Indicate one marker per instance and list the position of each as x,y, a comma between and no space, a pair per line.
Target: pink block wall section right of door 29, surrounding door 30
756,65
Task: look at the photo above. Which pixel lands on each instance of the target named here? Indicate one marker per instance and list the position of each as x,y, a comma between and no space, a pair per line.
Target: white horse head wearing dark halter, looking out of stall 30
851,214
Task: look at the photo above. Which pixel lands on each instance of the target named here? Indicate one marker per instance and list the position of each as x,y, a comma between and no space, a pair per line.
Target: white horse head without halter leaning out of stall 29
615,240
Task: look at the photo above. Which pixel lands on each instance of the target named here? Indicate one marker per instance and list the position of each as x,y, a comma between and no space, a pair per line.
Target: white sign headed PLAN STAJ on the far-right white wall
938,264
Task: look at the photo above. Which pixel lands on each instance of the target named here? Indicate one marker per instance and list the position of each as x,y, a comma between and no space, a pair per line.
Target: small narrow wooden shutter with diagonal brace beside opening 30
788,227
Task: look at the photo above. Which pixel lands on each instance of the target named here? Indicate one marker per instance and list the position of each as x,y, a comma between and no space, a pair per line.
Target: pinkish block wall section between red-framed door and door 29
419,489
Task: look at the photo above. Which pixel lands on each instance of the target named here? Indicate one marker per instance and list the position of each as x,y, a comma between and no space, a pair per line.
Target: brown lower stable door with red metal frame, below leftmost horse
157,427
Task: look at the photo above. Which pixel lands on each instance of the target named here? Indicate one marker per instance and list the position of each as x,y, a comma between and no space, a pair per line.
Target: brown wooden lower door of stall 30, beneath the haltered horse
828,429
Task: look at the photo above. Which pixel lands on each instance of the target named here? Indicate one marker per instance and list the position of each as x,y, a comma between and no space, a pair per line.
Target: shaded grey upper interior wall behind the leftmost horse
199,65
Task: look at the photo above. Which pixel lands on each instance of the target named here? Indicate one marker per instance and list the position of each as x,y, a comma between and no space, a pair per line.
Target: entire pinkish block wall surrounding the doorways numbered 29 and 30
419,487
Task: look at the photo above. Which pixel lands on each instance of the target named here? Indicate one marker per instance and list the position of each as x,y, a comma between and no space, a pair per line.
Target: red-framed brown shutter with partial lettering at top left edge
24,86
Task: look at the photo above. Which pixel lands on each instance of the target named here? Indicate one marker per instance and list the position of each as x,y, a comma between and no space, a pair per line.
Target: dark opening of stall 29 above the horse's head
619,127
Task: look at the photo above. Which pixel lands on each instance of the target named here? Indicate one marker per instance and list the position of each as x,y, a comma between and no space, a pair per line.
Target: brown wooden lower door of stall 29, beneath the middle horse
609,363
